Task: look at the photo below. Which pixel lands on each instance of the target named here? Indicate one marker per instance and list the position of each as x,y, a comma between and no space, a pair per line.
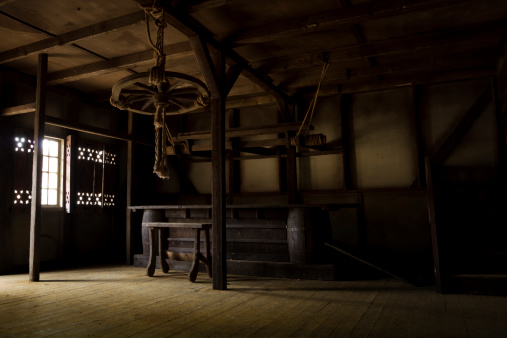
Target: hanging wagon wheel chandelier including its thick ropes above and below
159,92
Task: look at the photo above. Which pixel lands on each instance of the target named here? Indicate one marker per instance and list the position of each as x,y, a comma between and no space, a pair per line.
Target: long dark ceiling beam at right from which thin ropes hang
449,39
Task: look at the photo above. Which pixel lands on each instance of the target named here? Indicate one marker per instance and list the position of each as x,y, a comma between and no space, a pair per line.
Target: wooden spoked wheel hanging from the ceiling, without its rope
180,94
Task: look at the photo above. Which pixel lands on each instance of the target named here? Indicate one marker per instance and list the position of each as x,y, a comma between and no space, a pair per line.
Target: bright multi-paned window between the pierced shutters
52,178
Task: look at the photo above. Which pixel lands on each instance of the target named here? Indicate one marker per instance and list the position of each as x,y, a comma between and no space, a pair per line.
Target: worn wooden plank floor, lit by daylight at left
123,302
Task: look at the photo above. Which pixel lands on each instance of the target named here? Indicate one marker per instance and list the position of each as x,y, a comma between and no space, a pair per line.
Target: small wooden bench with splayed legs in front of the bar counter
198,256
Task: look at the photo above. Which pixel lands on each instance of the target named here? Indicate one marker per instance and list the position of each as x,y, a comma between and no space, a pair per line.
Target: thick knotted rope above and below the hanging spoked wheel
158,78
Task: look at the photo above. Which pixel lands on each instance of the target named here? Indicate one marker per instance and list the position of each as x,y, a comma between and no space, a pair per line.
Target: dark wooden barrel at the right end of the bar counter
299,236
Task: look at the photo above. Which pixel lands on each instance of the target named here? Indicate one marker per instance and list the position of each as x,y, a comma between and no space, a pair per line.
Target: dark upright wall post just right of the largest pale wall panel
416,123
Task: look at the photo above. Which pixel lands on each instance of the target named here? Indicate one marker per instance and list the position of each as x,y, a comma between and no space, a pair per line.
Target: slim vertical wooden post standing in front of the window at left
38,138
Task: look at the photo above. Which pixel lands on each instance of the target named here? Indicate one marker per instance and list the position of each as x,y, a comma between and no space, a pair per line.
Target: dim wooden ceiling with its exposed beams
279,44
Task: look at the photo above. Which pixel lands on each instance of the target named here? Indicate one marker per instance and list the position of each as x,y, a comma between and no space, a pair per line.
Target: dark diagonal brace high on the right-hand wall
457,133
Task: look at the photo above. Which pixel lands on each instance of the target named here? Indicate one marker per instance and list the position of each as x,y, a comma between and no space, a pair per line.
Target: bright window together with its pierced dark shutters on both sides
94,174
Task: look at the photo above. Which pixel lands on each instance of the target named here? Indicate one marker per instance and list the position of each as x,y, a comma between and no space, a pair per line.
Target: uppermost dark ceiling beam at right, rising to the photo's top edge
343,17
